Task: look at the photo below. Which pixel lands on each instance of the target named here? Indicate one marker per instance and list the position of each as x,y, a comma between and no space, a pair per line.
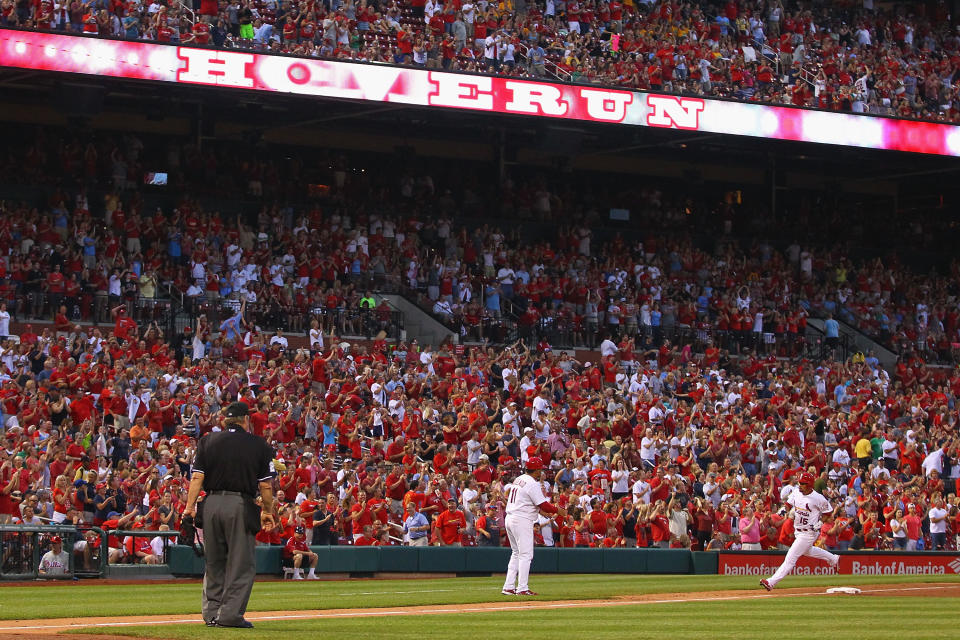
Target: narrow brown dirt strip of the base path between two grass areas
50,629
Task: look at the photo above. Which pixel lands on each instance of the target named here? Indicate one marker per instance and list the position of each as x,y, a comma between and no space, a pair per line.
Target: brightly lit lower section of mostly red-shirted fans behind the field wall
667,450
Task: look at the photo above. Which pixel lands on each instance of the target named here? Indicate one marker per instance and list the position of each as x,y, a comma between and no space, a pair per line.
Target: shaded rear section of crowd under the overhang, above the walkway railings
294,266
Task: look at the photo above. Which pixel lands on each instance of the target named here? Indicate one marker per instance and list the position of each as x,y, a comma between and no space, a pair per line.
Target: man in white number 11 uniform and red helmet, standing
525,501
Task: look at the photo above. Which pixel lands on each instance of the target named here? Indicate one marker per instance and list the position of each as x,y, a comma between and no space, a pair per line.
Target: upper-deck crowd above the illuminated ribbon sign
900,61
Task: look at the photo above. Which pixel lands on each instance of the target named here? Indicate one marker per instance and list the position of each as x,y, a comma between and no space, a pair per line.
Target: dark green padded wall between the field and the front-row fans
346,559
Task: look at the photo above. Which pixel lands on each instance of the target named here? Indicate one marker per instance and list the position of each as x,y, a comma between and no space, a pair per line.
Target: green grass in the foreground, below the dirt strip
836,618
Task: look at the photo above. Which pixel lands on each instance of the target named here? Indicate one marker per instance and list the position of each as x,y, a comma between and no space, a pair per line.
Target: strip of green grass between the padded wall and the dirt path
104,599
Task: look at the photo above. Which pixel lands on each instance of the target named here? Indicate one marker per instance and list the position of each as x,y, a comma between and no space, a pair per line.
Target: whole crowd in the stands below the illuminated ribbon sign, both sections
649,443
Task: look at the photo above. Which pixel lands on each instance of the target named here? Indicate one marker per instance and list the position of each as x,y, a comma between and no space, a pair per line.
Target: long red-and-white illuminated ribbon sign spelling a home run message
389,84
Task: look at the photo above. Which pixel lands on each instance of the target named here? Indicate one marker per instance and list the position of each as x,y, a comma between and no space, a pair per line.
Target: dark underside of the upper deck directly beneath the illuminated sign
203,113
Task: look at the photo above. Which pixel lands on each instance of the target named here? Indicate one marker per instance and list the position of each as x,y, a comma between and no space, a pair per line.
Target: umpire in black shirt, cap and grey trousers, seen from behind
231,466
